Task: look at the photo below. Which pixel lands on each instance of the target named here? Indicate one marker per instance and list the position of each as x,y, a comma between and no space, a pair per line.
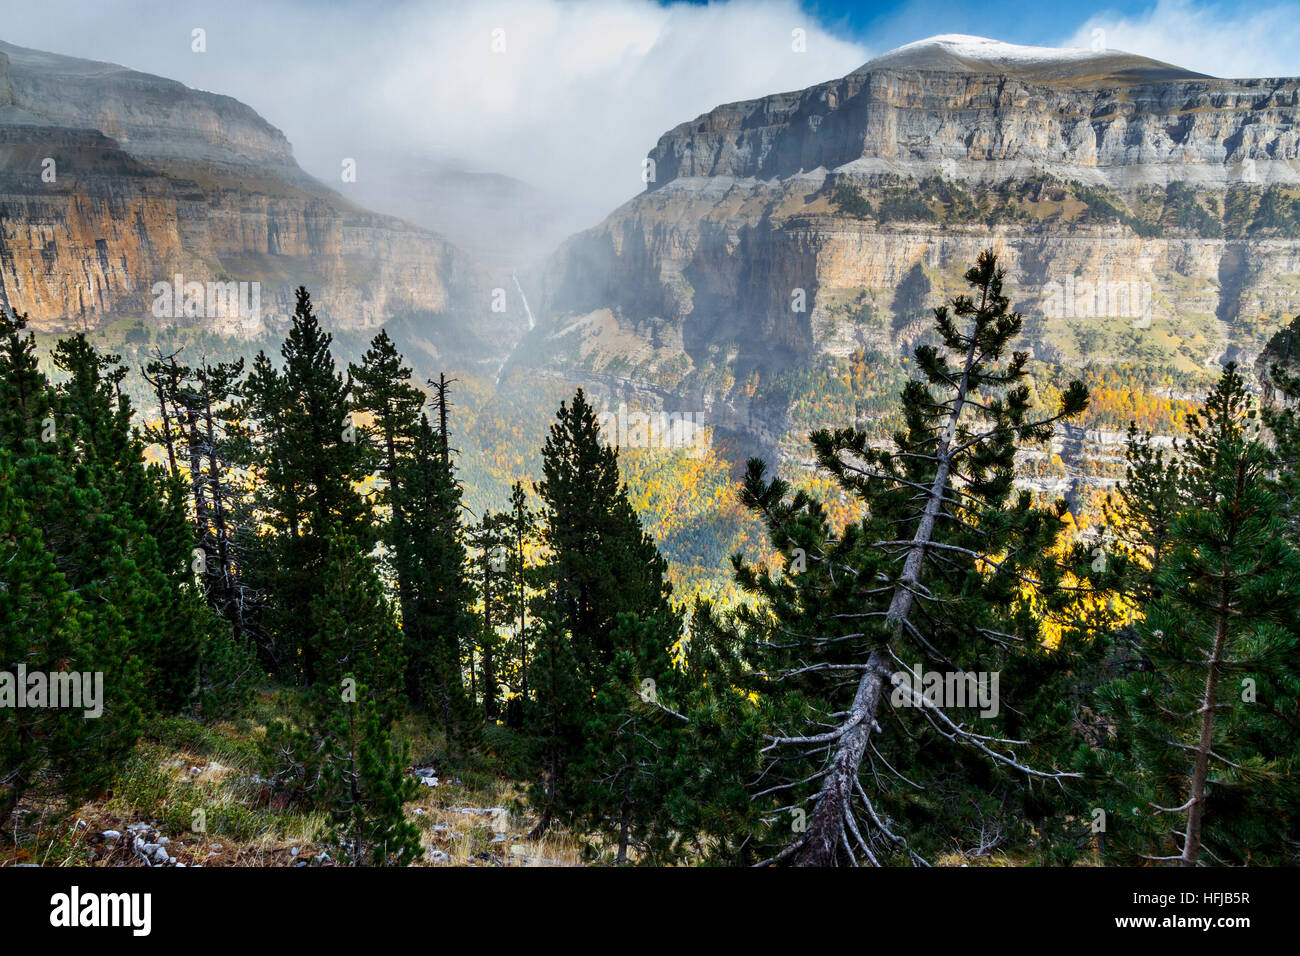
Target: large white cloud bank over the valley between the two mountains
580,94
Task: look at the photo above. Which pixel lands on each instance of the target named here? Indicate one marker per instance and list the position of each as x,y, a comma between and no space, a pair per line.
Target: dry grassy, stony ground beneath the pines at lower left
201,789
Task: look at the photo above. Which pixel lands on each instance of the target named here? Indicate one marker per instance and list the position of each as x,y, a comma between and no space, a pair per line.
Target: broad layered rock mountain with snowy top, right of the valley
1149,219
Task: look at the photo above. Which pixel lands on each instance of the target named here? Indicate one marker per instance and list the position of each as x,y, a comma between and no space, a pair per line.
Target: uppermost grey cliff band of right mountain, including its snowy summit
976,109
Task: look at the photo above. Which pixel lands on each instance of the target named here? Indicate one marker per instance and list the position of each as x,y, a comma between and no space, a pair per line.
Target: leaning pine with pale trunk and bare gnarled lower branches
972,540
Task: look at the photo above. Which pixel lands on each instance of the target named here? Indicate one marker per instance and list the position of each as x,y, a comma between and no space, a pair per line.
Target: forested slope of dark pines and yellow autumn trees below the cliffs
339,615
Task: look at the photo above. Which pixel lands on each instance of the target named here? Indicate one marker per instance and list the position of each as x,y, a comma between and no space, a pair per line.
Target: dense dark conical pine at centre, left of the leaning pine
610,618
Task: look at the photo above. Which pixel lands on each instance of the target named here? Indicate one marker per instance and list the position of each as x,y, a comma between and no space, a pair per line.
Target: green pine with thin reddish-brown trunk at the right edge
1203,764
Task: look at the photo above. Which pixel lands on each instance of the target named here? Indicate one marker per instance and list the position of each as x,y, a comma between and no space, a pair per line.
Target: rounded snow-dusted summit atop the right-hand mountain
963,54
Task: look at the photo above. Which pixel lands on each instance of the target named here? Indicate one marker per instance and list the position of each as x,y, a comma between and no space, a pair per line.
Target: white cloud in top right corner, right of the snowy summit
1232,41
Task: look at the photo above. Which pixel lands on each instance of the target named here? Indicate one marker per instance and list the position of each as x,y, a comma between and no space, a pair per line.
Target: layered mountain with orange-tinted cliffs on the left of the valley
112,181
